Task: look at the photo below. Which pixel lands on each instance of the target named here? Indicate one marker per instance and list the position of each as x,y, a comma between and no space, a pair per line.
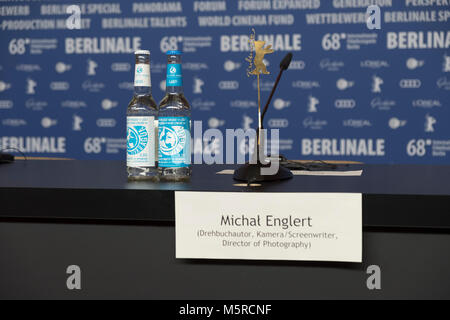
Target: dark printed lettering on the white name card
289,232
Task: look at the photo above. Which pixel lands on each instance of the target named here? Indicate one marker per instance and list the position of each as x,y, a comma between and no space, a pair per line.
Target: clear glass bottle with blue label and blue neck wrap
174,125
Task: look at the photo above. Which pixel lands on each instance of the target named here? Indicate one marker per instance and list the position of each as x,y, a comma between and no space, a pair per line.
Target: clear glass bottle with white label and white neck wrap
142,115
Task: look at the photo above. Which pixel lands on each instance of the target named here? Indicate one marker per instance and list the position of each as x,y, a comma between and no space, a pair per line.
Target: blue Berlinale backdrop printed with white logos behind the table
378,96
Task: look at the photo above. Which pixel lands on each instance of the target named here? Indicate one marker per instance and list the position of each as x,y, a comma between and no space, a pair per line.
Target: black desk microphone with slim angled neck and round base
251,172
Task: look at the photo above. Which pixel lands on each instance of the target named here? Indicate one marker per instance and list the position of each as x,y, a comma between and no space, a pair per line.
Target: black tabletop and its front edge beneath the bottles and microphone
393,195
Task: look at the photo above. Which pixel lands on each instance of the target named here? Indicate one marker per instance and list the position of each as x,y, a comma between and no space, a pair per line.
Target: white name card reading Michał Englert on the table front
269,226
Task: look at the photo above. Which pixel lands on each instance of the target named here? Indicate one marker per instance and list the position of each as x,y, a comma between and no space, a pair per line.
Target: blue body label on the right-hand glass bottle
174,142
